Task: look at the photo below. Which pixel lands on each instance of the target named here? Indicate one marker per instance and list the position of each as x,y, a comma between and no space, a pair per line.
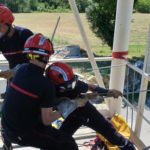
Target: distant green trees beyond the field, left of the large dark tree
24,6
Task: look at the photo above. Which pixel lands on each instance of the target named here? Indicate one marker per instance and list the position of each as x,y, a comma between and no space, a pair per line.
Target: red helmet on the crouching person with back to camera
38,44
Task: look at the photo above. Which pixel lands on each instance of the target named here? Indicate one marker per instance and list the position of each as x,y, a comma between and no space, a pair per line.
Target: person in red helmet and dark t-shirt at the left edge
12,40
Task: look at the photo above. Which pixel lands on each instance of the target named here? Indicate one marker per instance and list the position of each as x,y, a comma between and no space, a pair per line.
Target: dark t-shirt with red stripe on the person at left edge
12,47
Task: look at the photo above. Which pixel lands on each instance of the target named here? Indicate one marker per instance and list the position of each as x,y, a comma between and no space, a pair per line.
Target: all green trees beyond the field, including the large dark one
100,13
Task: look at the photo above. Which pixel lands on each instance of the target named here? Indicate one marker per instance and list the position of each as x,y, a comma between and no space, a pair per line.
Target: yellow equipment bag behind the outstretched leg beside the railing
121,126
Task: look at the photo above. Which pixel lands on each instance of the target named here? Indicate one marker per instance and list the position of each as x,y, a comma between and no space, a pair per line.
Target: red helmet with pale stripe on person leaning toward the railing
62,75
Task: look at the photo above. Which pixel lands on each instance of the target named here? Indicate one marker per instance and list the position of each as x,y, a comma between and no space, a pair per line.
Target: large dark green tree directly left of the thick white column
101,16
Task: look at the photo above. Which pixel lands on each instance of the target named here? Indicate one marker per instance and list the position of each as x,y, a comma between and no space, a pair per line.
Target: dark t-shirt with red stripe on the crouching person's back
28,93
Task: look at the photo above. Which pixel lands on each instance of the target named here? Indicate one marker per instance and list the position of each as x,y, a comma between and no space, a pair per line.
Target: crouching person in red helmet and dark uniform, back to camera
28,106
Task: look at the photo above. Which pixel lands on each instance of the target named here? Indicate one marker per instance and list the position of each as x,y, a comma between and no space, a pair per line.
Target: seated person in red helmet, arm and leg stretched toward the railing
68,86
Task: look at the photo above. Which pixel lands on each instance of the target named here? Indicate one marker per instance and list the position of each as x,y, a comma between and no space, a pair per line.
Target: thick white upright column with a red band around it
120,49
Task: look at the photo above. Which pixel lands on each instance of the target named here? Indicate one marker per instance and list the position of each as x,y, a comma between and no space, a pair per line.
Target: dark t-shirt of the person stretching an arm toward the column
80,88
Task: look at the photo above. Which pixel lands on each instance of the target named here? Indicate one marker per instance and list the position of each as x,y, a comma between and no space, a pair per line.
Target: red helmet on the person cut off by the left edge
6,16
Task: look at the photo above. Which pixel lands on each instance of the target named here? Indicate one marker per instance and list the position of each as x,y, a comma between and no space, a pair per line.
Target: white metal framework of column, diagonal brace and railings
121,38
